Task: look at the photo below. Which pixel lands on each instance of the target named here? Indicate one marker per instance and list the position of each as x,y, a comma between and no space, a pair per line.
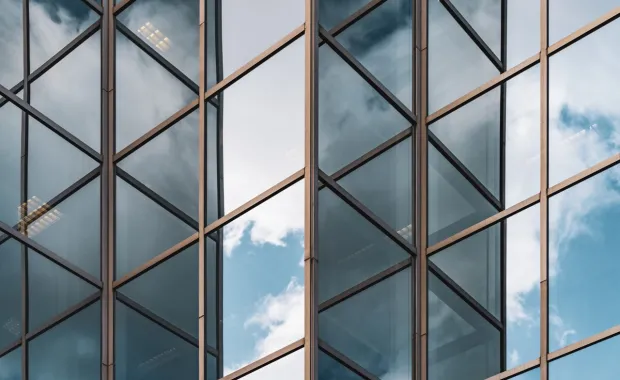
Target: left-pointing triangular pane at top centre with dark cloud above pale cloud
381,41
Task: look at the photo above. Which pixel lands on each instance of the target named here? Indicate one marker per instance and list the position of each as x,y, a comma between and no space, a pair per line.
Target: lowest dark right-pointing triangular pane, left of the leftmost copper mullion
52,289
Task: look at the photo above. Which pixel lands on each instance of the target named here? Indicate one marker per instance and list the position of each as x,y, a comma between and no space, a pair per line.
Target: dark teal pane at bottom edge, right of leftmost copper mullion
144,350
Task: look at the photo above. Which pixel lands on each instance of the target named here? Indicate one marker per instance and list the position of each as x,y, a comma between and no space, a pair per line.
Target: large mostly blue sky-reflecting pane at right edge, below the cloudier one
583,259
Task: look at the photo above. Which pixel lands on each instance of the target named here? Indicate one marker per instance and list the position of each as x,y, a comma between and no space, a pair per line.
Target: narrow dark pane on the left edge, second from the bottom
10,292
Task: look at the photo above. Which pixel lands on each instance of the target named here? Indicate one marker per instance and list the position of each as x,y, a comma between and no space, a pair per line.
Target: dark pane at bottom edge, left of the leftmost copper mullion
70,350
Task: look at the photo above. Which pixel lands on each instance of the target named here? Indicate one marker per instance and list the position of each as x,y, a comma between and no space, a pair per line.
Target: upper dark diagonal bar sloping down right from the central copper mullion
367,76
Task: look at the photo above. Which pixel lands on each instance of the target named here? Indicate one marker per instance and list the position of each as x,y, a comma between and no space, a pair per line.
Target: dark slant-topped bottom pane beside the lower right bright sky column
461,343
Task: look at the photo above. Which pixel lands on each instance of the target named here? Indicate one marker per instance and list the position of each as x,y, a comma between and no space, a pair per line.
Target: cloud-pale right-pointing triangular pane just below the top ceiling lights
146,93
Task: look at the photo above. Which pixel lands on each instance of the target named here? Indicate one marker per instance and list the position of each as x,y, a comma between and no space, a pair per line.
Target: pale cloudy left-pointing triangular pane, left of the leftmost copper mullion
70,92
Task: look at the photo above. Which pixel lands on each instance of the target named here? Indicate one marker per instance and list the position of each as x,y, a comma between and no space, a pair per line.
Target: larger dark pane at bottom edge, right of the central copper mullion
373,328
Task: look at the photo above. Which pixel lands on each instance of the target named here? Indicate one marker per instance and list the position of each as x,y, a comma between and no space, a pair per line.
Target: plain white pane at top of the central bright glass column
249,27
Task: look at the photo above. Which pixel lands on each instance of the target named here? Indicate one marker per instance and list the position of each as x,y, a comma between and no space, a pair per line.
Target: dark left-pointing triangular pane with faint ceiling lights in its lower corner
388,195
